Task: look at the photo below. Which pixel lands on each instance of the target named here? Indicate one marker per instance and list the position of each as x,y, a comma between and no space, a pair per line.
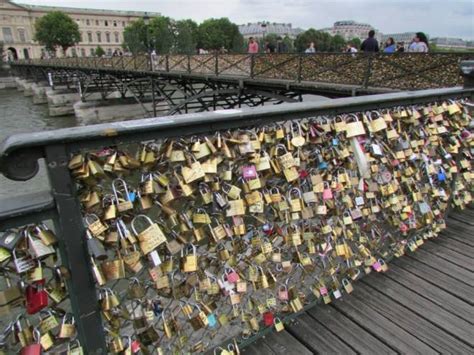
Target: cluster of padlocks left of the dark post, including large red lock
34,306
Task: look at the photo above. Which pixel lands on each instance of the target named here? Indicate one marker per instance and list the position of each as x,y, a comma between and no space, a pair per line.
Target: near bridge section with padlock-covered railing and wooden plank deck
343,225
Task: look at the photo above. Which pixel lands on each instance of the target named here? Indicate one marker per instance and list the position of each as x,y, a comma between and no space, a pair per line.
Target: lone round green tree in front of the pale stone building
56,29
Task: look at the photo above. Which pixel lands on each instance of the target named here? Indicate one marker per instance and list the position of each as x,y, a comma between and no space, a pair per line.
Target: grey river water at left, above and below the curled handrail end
19,115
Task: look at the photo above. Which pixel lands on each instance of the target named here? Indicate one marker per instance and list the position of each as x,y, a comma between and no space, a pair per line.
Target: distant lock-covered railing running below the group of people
400,71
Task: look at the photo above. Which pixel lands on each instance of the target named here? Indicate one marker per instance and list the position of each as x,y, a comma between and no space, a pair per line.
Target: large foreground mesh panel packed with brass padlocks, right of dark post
195,240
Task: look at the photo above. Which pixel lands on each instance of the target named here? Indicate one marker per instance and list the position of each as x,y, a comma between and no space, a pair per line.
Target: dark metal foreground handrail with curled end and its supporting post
19,156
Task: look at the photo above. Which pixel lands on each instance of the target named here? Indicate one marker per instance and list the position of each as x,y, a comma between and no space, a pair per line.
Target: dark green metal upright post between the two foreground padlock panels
75,256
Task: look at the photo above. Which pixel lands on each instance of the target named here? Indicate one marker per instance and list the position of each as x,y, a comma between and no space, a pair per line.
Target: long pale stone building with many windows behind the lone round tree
97,27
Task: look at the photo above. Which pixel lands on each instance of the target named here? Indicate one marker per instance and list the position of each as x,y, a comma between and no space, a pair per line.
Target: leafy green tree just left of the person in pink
220,33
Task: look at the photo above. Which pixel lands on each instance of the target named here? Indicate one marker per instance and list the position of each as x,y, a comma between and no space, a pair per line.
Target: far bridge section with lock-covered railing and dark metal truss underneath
196,83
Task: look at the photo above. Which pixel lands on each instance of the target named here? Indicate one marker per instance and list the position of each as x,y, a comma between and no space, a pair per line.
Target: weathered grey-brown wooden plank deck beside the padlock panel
424,304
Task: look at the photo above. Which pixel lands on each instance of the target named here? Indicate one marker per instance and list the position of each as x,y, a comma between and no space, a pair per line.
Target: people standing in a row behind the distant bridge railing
419,44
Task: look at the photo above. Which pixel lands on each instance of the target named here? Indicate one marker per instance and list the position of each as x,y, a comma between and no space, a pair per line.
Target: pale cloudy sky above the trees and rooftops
438,18
